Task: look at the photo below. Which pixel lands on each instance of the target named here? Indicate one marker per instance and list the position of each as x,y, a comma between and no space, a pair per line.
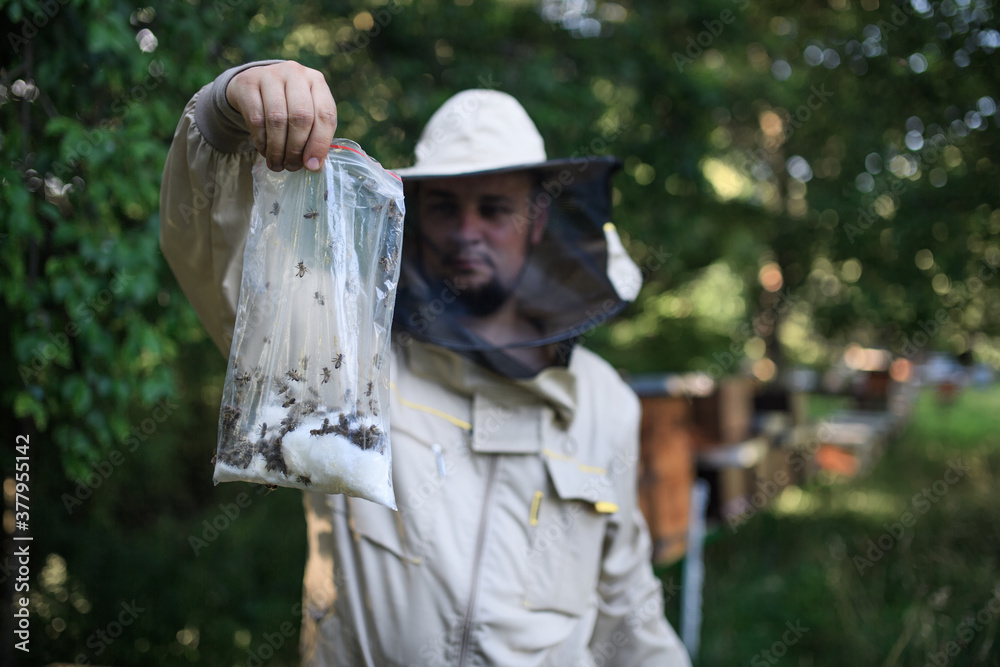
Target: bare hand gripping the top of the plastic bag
289,111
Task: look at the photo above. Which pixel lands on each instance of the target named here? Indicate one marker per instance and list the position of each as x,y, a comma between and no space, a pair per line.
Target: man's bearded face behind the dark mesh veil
476,232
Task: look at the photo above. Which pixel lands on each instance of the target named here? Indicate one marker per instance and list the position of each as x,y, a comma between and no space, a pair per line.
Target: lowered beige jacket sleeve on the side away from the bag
631,628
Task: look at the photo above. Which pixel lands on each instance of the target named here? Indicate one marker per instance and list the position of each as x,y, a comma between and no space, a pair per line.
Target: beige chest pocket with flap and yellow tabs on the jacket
569,520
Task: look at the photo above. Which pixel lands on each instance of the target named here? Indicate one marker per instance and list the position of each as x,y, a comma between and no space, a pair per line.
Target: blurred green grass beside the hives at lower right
835,560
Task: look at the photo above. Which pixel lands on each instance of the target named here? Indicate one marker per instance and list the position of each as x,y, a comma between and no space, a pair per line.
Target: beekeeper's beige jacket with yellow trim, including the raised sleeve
518,541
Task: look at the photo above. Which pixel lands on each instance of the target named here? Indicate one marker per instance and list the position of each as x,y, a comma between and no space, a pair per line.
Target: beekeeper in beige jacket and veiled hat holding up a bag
518,539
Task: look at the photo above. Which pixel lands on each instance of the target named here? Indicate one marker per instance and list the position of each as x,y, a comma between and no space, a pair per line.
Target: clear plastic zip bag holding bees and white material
305,403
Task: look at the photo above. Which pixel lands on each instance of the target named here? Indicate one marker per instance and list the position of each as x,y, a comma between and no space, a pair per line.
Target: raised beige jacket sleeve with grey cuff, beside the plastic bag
205,201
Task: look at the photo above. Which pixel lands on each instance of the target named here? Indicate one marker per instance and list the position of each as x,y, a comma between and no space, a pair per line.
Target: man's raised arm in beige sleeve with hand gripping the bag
207,190
